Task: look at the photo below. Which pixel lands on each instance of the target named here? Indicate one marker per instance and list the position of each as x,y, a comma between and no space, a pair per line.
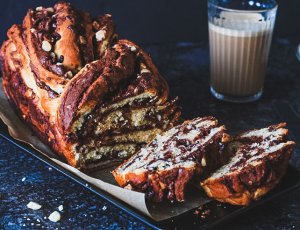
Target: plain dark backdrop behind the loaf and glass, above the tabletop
153,21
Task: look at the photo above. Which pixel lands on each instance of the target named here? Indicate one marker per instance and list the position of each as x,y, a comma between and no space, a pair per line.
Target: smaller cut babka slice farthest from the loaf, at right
260,159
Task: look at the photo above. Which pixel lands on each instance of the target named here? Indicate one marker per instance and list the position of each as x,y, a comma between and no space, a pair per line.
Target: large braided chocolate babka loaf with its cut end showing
93,98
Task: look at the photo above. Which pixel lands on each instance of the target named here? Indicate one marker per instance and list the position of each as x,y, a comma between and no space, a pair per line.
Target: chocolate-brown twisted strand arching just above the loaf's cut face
90,86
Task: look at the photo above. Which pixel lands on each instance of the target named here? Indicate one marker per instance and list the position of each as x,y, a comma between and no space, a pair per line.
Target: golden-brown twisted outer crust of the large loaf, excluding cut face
57,68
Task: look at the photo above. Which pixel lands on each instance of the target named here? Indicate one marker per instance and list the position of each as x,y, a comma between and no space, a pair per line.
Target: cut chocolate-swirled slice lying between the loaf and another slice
164,167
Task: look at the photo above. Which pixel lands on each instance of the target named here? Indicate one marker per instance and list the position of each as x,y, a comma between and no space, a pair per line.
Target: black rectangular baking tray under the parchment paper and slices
217,213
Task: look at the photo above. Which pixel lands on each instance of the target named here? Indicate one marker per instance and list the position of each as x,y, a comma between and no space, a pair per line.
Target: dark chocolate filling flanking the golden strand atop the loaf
44,25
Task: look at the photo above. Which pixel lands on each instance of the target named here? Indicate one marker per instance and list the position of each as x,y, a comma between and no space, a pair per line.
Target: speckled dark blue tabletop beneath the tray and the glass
185,66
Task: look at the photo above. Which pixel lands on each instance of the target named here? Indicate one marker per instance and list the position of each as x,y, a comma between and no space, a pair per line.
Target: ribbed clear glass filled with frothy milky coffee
240,34
